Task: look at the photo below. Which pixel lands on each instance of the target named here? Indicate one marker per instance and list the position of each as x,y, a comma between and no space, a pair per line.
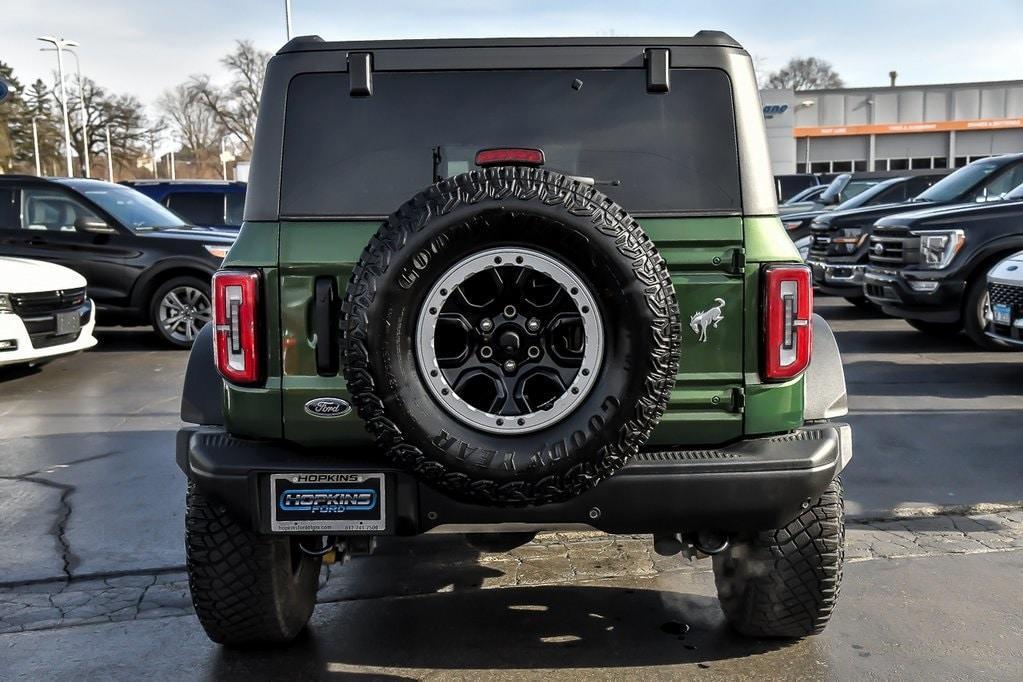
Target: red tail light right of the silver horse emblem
787,309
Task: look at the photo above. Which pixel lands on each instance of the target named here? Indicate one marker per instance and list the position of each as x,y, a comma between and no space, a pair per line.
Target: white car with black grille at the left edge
45,312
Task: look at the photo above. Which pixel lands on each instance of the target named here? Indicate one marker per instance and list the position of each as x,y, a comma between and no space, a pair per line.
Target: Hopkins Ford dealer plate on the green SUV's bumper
328,503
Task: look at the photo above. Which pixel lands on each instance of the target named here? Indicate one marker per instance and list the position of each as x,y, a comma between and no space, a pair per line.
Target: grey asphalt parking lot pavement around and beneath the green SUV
93,557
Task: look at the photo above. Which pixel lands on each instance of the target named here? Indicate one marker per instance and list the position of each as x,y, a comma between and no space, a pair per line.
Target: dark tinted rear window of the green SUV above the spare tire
664,153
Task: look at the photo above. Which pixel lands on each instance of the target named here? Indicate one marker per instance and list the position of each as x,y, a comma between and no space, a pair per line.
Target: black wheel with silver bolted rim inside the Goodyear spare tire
510,341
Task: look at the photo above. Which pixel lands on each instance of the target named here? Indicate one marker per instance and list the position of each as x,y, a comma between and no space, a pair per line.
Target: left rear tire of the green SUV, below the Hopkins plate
247,588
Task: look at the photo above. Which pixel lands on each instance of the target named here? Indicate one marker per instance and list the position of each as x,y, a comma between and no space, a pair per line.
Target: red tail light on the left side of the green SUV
236,311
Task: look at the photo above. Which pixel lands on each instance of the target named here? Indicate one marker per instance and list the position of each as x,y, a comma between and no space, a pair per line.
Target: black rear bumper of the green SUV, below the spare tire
757,484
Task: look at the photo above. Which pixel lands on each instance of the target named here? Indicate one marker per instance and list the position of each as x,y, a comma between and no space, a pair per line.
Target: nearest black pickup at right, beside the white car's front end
930,267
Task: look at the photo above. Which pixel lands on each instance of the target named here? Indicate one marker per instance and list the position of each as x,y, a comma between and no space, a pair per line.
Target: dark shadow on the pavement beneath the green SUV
516,628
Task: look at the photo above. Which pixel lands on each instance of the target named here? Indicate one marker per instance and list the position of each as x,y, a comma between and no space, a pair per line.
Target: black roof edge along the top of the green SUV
316,43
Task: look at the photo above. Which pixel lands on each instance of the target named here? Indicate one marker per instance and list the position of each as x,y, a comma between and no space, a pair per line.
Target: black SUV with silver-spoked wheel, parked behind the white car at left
144,264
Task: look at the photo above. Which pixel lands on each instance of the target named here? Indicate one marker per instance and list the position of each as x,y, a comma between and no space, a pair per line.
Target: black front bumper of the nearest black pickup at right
894,293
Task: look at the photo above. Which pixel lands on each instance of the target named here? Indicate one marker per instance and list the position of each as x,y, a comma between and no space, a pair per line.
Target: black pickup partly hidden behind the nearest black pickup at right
839,240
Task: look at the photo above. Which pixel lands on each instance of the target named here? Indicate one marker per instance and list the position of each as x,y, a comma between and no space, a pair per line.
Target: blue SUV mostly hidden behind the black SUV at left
214,204
